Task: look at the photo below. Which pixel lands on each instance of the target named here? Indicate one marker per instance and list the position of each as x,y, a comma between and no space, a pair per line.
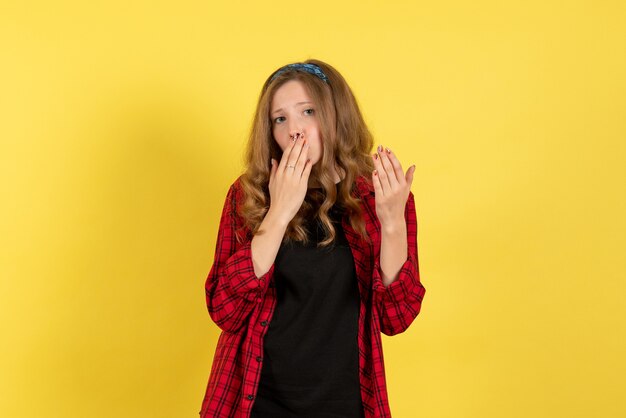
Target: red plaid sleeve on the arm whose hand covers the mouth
232,288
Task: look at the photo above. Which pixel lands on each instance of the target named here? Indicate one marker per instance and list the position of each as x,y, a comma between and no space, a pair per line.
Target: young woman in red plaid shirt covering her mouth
316,256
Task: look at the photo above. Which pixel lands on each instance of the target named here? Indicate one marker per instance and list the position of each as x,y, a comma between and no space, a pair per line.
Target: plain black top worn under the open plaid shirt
311,359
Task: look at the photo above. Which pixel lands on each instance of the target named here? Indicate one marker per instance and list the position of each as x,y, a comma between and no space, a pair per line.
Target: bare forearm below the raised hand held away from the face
393,251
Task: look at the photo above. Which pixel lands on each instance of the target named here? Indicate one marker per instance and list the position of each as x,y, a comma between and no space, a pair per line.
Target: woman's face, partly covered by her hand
293,111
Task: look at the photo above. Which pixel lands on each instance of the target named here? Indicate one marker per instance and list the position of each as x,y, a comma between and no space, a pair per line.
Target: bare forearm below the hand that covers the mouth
265,246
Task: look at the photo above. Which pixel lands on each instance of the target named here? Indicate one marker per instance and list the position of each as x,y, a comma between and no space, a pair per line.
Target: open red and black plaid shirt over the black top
241,305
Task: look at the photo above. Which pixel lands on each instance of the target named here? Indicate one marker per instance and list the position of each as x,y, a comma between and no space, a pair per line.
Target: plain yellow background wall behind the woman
123,124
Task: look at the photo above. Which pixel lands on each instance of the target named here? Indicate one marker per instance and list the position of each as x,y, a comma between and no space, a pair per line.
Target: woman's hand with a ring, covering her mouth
289,180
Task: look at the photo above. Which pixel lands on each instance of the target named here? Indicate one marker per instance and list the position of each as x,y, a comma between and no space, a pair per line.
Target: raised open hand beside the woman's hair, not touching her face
391,187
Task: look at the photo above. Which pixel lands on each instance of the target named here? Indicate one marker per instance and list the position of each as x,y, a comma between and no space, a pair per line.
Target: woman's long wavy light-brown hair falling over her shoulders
346,143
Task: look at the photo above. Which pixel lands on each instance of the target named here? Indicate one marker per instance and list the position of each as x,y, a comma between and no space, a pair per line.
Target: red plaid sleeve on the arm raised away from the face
401,301
